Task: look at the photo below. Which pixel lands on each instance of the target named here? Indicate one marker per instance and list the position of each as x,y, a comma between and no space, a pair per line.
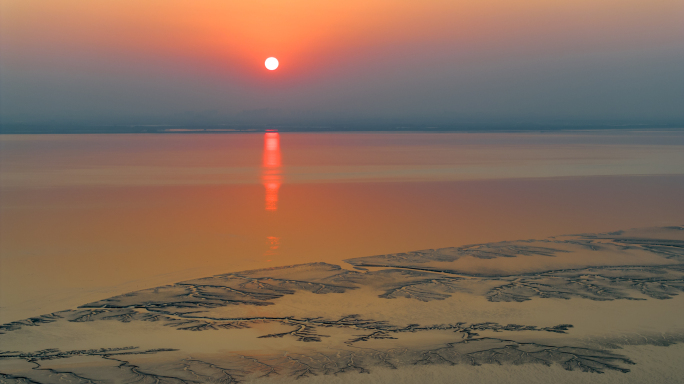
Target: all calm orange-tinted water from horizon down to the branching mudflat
84,217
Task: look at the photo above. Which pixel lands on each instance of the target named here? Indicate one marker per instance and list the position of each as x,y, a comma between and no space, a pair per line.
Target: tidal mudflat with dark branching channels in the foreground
599,307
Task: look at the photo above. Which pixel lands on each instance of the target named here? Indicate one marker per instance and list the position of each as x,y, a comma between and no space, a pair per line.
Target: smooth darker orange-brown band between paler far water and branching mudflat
108,241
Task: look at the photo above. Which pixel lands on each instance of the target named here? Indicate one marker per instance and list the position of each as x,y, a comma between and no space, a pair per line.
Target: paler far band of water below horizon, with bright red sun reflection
165,160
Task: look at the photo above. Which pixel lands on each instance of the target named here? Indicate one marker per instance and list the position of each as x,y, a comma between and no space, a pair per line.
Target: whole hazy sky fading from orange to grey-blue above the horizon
437,61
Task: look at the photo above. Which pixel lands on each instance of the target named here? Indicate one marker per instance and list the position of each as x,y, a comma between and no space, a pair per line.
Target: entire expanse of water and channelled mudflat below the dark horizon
393,257
